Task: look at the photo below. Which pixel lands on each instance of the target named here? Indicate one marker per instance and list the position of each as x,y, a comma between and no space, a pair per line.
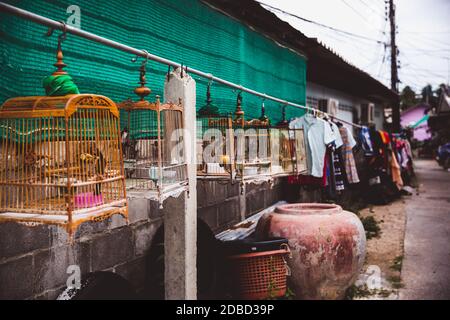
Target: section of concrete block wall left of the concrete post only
34,260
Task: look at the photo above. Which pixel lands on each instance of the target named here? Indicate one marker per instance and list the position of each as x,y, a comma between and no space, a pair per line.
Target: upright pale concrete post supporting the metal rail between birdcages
180,228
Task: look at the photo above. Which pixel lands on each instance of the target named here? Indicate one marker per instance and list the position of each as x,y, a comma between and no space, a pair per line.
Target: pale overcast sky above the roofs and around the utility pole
423,35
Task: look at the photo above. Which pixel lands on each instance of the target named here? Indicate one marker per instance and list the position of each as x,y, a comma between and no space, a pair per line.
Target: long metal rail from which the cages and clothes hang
27,15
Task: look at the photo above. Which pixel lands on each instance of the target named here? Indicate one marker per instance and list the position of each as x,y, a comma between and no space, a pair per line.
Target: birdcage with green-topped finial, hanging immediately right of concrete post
215,141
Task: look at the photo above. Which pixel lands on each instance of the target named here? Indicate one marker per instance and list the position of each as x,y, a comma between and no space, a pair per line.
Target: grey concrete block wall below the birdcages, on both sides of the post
34,260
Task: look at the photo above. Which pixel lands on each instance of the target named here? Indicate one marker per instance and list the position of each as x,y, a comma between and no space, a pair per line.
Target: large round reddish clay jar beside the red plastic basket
328,247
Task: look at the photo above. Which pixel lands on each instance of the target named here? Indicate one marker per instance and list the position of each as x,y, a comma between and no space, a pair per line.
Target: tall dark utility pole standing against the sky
394,69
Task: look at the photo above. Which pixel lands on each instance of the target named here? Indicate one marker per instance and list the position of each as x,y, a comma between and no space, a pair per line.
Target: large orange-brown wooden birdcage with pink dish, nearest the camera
61,160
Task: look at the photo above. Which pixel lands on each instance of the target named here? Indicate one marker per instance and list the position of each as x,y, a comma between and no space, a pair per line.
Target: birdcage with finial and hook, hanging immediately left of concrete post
152,143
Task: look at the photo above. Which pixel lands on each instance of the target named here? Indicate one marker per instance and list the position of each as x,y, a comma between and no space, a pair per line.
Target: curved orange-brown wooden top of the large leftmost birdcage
35,106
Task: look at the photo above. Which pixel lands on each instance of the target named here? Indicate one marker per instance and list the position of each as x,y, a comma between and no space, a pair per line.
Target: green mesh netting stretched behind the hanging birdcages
185,31
